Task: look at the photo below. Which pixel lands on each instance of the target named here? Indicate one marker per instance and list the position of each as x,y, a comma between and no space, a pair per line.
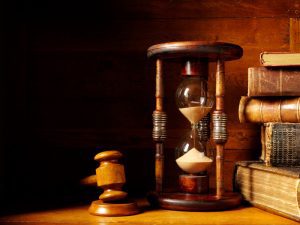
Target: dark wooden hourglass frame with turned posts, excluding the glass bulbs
186,53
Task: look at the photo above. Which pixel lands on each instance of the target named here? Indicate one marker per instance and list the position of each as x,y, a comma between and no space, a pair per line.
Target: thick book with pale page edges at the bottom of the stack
274,189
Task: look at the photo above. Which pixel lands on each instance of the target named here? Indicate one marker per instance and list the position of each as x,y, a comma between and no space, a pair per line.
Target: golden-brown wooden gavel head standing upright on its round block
110,176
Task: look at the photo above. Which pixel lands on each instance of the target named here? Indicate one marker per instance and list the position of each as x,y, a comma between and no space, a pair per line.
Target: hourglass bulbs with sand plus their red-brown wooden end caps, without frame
194,103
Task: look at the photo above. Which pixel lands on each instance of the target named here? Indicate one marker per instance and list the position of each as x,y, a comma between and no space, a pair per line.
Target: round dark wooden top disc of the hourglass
196,49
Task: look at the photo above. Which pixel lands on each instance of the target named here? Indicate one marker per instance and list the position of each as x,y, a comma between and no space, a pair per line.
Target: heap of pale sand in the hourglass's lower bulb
193,161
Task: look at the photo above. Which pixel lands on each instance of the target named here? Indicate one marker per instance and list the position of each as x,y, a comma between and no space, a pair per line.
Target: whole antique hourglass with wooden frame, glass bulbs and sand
192,155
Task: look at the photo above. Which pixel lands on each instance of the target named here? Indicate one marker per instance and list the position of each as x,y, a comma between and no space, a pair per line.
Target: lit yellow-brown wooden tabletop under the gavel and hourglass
80,215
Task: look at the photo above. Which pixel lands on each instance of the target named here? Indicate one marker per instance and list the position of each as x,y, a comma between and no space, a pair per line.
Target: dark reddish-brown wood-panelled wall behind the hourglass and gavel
75,80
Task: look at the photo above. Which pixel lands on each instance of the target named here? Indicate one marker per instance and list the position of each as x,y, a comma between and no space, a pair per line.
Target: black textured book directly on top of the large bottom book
281,144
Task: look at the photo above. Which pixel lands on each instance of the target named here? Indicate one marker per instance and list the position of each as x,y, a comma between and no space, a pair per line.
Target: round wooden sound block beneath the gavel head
99,208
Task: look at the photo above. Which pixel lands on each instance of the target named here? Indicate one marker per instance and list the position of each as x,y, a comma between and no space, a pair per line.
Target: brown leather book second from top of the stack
264,81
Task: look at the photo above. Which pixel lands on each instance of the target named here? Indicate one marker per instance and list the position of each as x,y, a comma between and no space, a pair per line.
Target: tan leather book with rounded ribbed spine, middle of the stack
264,110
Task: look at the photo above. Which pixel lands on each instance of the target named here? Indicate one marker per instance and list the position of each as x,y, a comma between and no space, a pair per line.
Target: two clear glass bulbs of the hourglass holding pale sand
193,102
